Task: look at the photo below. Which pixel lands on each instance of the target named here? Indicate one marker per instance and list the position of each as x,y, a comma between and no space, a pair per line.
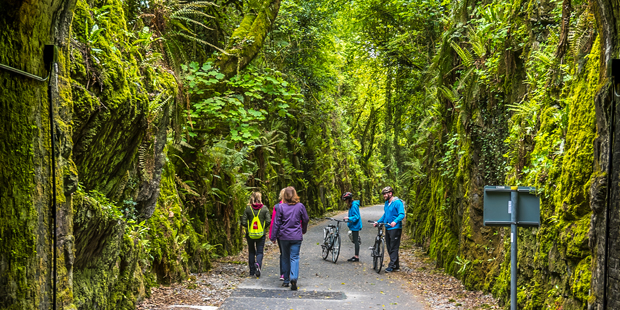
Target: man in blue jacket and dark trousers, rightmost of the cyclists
394,213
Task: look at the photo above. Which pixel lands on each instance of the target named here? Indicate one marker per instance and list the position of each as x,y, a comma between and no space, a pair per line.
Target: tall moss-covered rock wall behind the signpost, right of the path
542,120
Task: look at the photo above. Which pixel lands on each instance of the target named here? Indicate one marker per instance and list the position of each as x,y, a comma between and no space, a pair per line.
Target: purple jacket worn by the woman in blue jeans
286,225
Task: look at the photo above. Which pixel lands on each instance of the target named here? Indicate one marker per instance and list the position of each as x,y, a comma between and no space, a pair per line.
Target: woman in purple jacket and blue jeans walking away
289,225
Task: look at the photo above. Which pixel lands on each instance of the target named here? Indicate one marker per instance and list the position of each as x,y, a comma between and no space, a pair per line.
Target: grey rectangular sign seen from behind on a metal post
511,206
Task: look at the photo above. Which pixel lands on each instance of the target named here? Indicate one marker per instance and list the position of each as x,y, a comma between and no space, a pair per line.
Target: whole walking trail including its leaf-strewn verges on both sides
323,284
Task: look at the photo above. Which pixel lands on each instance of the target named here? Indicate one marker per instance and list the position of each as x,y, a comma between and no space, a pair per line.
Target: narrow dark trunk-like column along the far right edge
605,204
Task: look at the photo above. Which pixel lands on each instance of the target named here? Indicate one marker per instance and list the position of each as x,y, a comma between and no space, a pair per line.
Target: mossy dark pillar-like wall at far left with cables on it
25,154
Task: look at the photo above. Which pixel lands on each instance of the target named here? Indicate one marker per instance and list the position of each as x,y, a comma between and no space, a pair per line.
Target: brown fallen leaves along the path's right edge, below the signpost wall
439,290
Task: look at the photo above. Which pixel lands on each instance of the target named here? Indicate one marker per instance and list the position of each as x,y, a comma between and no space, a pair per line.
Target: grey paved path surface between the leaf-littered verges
325,285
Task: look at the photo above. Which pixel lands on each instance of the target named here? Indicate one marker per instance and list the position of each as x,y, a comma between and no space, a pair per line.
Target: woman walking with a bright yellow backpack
256,219
